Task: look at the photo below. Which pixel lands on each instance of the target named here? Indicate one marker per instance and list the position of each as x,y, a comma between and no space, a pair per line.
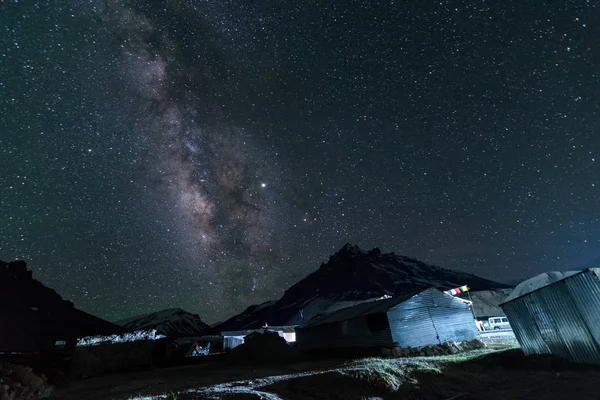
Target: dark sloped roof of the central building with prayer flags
371,307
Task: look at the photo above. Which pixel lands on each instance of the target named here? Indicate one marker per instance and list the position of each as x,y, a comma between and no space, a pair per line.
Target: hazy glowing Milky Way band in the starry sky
208,173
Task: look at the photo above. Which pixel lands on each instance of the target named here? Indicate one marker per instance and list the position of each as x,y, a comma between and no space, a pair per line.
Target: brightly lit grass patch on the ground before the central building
389,374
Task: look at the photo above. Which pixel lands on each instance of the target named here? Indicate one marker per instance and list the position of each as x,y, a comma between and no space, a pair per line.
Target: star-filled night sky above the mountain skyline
209,154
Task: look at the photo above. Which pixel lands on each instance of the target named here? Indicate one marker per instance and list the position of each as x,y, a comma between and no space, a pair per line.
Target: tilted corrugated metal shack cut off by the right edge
558,313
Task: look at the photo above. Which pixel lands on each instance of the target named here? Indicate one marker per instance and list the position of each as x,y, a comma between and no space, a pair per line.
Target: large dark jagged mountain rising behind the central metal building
352,275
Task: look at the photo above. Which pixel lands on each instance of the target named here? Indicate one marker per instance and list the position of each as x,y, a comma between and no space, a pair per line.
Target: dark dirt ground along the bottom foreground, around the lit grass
496,375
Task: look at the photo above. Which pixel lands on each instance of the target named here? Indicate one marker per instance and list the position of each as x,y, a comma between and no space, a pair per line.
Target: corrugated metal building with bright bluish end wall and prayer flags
418,318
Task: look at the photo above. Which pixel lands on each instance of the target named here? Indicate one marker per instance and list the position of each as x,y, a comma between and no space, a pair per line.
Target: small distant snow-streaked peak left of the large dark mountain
173,322
